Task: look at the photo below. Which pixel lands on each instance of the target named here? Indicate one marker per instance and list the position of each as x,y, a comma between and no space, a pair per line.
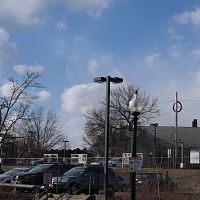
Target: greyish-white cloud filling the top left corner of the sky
23,12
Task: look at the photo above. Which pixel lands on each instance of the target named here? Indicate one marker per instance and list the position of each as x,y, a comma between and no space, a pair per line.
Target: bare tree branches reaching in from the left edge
15,104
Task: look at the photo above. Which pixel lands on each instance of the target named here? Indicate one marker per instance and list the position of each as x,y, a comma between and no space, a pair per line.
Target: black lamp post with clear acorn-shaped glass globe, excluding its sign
135,107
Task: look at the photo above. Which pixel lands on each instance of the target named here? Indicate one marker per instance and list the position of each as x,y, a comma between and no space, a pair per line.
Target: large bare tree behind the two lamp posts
120,117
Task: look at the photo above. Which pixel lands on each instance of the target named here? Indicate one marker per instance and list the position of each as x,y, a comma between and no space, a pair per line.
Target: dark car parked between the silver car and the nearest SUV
35,175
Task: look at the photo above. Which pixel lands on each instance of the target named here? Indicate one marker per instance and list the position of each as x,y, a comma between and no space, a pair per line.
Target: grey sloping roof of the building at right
189,135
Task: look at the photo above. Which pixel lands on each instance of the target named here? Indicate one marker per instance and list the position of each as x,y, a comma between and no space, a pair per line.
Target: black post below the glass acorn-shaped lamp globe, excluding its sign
134,154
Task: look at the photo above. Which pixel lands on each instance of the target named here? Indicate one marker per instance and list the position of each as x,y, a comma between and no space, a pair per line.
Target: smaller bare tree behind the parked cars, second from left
42,132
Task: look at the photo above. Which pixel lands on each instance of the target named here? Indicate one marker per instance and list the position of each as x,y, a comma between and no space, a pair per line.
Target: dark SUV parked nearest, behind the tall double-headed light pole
86,180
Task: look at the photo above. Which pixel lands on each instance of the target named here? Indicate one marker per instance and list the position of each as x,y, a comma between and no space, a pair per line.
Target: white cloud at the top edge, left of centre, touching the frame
91,7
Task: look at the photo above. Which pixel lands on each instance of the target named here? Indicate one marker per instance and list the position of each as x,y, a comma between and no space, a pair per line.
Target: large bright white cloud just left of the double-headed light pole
79,98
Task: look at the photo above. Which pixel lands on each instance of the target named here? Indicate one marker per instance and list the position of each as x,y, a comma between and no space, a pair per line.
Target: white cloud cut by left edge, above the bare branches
7,49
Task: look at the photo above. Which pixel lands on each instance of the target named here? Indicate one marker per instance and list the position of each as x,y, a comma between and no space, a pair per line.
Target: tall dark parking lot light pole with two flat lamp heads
108,80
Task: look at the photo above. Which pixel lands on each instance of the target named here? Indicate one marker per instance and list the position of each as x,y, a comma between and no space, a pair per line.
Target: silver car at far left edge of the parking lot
7,176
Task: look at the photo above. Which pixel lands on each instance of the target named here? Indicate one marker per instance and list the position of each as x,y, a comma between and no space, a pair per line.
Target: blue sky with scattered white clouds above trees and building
154,45
